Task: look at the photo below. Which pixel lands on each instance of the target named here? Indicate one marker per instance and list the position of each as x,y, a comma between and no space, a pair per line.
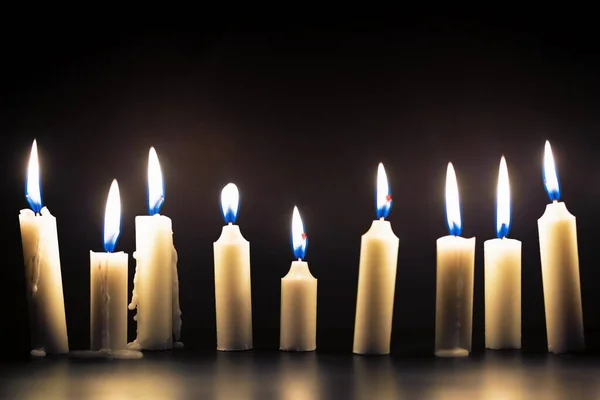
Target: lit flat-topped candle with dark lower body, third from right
454,281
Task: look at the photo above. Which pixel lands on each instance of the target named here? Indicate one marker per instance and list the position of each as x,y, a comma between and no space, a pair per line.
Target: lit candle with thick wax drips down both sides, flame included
155,285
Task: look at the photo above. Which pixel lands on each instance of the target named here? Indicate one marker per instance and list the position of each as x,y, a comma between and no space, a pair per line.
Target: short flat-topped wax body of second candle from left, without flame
108,301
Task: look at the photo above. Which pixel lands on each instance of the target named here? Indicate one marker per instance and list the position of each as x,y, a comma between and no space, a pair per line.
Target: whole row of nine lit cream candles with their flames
155,294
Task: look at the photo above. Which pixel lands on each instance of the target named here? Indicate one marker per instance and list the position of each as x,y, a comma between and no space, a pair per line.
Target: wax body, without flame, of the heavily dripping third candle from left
153,282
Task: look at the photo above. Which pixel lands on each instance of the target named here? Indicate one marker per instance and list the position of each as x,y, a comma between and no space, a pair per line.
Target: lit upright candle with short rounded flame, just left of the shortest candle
232,279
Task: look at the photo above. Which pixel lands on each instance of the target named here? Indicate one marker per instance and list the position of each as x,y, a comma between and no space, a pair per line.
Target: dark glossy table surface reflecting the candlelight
299,376
